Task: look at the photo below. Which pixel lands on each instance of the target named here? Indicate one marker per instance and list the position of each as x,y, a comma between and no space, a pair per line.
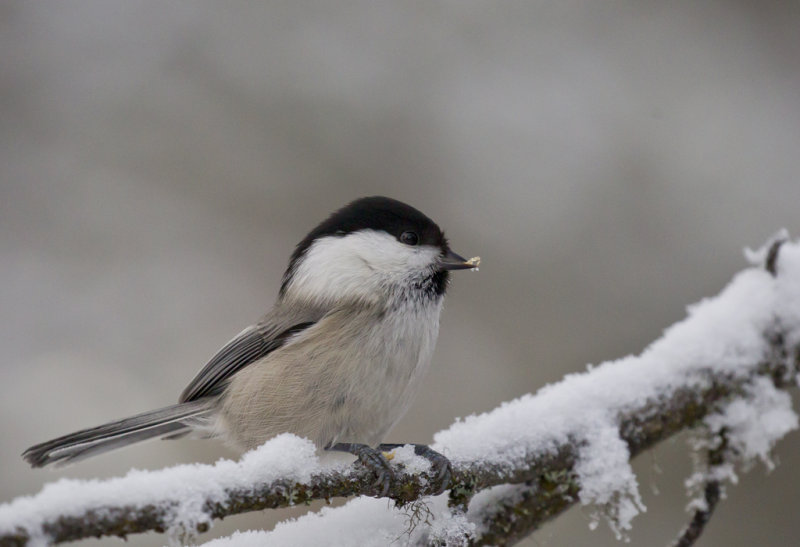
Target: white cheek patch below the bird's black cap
361,264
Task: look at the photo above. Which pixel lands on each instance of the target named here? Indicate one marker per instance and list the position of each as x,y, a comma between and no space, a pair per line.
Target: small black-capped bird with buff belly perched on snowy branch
337,360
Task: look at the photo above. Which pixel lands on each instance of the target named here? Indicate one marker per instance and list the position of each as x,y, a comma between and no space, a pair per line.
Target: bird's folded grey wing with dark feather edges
250,345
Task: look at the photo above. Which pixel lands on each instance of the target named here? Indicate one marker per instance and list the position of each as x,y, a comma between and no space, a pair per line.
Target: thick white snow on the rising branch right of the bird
722,334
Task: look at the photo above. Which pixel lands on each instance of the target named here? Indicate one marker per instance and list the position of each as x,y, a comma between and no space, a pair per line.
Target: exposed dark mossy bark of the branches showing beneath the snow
546,479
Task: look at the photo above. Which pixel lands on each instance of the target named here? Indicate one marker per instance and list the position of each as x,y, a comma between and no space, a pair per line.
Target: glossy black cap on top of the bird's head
372,213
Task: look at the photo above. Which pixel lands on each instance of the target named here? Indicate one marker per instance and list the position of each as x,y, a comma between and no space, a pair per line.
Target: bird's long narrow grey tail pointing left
168,422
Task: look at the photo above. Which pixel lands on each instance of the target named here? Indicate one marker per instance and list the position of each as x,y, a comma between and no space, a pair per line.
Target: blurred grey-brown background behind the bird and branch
608,160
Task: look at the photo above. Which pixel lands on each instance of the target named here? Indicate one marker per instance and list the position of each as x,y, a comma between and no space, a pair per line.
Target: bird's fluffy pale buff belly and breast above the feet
353,392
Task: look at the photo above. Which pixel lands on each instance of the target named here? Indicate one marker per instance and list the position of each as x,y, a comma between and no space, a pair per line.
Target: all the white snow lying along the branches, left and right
728,334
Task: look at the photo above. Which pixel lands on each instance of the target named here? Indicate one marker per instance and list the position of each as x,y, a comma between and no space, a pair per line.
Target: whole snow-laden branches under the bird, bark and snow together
720,369
